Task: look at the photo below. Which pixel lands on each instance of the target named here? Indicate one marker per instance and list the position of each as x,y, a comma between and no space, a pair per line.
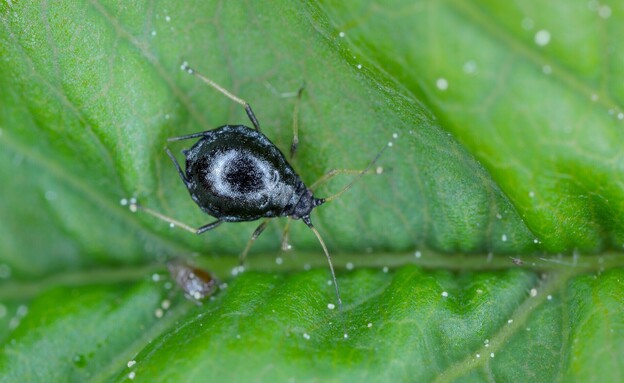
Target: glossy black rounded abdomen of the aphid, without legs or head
235,173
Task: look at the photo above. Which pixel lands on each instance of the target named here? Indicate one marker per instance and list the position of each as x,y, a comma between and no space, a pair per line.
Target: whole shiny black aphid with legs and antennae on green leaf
235,173
